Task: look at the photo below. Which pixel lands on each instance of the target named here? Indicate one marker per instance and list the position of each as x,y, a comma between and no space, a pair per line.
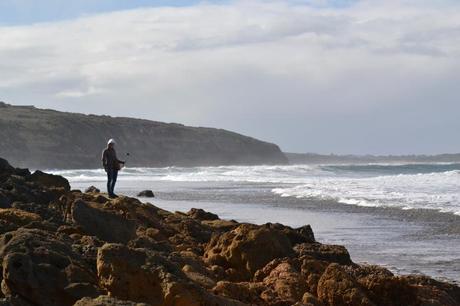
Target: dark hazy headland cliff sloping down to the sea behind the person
42,138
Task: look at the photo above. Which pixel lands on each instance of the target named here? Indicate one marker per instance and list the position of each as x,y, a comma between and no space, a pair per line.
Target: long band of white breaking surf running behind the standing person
430,186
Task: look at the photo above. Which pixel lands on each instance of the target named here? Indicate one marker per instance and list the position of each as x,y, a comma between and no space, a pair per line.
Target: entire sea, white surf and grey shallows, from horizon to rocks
405,217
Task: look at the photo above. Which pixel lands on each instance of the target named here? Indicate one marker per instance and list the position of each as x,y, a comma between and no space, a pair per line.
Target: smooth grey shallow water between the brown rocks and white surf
402,233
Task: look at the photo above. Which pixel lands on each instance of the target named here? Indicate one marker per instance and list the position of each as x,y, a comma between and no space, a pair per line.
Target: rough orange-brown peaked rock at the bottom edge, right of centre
337,288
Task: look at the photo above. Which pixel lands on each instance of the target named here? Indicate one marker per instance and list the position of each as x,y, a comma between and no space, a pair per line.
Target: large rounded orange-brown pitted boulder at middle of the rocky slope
240,249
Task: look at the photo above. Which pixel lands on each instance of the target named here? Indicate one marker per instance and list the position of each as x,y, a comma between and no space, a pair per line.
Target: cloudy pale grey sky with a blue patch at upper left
344,76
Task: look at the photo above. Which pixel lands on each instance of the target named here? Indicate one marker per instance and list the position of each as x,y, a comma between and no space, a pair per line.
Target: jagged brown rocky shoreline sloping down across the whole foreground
65,247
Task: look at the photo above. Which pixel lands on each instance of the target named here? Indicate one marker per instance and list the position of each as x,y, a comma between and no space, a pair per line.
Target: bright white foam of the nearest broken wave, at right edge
439,191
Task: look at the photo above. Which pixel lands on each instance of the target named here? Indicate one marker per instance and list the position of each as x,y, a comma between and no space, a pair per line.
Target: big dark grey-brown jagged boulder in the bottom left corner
43,269
